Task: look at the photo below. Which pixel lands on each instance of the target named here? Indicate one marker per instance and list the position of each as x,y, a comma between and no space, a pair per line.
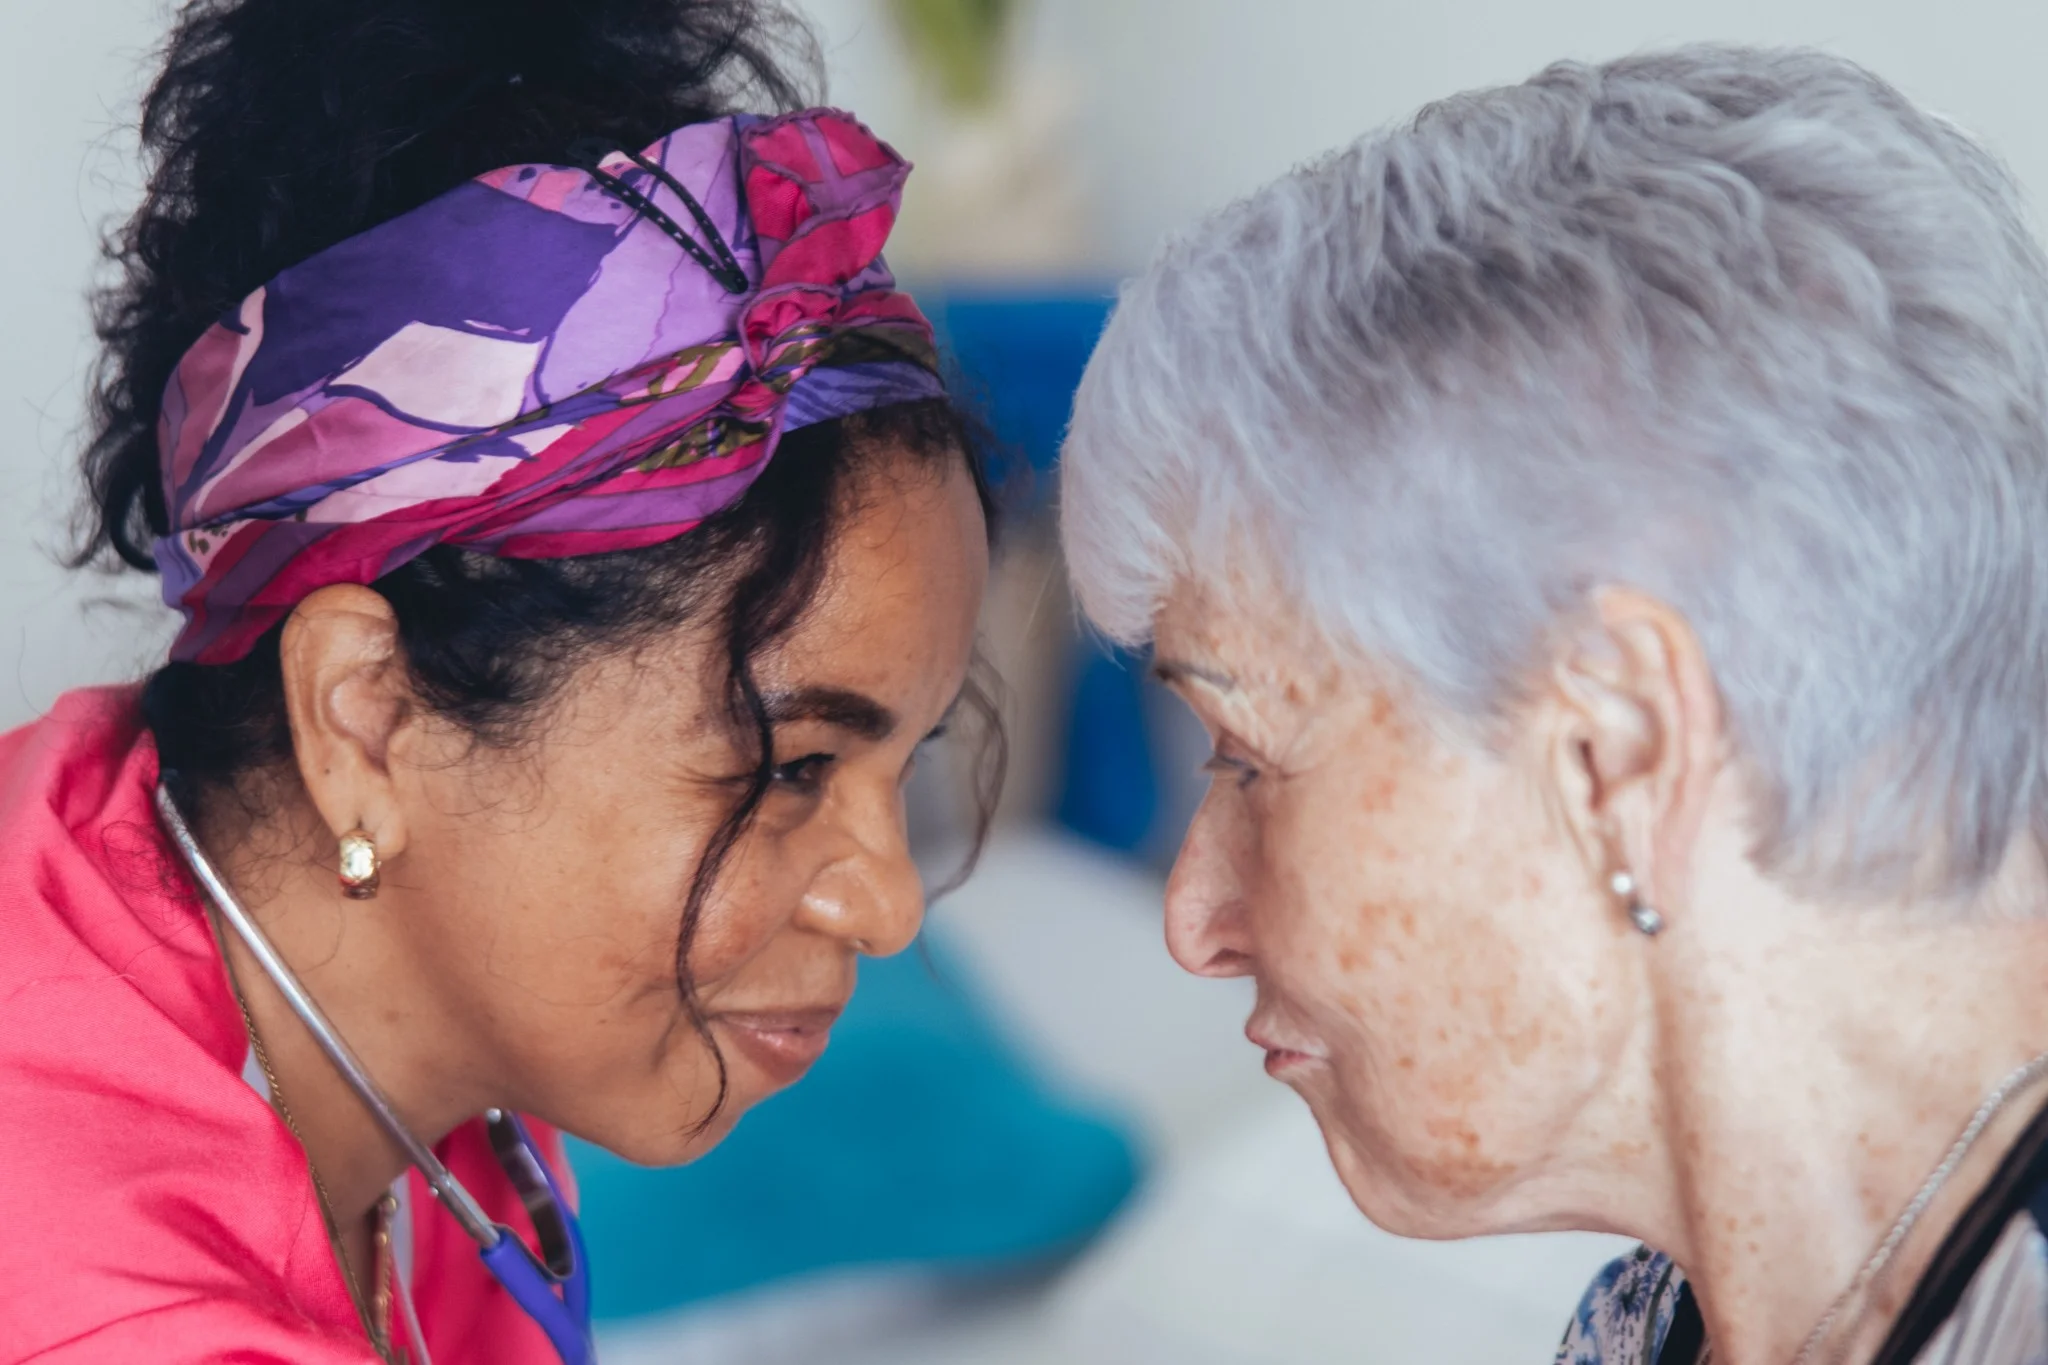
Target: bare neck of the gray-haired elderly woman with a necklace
1814,1069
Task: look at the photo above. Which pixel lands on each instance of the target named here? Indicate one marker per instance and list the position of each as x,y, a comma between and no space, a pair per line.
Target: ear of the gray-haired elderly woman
1637,738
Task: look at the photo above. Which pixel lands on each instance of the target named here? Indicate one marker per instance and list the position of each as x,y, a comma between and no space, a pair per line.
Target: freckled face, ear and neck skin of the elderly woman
1490,1047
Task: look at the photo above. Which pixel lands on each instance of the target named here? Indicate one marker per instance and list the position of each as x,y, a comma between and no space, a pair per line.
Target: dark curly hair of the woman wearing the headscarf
280,128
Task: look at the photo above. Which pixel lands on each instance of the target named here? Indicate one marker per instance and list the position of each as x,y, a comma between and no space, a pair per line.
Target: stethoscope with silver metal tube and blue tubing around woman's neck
554,1292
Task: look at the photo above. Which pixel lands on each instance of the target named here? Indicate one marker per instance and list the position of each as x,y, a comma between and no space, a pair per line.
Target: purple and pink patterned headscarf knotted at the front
546,361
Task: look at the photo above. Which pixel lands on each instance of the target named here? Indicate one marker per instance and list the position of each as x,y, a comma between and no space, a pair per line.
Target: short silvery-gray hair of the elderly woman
1740,328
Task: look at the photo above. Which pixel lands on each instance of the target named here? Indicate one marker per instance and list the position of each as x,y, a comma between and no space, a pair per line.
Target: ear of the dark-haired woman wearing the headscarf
349,701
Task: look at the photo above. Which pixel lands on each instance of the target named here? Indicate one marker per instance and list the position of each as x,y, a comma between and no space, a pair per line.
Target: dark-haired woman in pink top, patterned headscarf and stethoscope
574,549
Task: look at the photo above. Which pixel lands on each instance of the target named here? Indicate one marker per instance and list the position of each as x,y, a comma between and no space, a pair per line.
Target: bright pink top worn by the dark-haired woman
153,1204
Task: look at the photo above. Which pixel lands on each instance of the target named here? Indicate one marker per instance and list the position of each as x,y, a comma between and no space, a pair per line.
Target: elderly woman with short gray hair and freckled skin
1605,531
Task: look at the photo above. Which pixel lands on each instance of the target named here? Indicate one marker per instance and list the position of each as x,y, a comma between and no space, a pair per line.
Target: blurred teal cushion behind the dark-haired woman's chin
919,1139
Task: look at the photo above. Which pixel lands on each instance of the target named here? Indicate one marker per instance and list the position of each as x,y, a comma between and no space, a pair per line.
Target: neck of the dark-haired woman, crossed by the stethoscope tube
351,959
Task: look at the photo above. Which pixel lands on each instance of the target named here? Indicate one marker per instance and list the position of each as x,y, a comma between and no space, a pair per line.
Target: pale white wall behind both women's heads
1183,105
